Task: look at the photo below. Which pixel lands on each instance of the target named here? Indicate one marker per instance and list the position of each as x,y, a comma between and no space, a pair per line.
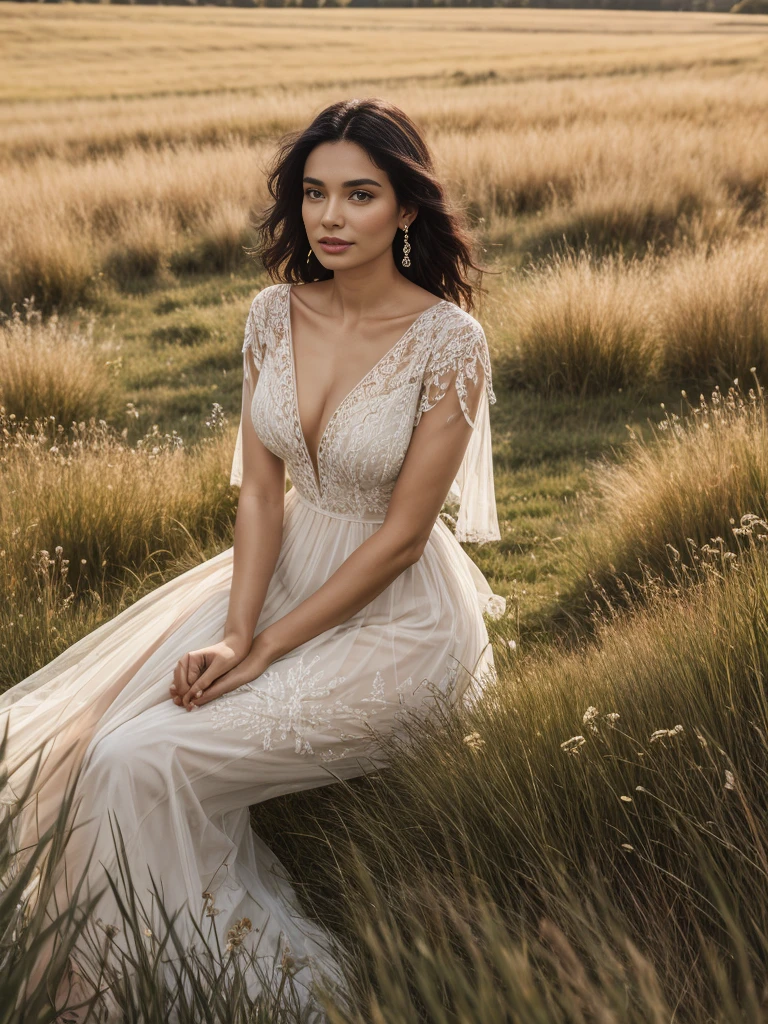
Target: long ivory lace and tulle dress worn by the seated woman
180,785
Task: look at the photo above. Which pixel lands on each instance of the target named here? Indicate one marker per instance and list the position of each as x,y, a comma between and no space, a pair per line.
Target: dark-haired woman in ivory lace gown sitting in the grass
344,602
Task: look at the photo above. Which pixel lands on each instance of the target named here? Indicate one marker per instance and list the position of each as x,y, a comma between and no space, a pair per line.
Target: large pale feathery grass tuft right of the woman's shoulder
583,325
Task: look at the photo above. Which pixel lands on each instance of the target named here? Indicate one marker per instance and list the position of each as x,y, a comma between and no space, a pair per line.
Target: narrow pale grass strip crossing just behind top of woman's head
699,96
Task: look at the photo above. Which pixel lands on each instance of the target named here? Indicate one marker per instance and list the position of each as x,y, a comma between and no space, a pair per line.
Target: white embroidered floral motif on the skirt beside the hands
296,702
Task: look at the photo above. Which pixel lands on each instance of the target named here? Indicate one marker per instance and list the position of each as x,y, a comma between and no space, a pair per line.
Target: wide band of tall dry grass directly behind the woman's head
575,164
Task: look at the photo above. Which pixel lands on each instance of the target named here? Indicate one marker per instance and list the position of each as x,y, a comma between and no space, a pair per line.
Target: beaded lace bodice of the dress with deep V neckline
365,442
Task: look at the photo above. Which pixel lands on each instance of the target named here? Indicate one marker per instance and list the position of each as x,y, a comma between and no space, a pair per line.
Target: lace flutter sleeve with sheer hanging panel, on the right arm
460,354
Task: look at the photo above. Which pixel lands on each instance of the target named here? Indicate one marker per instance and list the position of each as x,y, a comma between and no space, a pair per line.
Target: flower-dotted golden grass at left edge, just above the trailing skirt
89,521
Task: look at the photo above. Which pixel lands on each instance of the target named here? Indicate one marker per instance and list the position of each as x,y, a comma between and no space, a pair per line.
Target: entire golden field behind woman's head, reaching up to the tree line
153,164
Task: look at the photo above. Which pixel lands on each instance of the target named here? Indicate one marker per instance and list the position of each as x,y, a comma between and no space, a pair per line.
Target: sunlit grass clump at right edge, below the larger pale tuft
677,500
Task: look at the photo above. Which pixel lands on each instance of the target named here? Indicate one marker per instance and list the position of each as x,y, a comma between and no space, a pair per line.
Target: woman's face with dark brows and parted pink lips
348,198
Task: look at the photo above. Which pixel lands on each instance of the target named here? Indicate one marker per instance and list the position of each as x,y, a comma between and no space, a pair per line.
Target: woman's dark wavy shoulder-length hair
441,254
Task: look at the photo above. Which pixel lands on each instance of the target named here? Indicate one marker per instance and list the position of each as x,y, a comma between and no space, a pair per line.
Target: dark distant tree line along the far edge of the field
741,7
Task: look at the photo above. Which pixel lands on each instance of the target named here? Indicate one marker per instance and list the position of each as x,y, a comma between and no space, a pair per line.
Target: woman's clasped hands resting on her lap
206,674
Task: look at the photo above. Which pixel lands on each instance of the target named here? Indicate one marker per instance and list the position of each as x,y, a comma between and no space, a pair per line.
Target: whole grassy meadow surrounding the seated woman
590,842
